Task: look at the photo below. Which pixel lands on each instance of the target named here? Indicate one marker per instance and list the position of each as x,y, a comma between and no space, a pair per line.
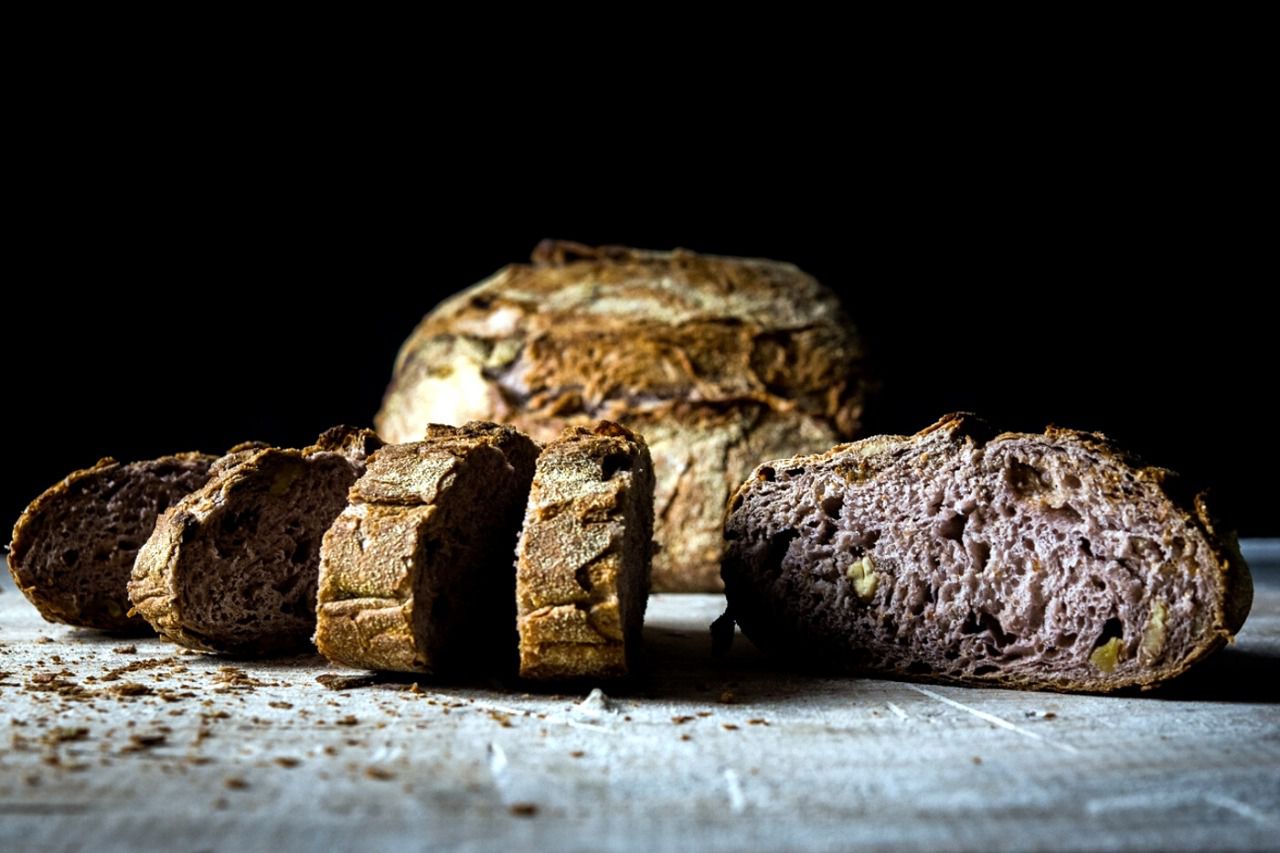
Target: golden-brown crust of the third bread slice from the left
378,586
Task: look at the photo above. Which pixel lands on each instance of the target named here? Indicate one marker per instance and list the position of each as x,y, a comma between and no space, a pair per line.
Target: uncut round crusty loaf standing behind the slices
717,362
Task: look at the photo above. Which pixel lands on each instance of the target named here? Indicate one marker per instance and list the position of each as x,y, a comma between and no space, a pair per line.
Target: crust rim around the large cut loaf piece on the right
1235,587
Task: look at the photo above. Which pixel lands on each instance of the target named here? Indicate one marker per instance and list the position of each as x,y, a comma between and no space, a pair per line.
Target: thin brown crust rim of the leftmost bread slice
54,606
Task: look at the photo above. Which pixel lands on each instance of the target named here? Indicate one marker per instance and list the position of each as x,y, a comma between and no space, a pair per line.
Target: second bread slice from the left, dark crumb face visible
232,568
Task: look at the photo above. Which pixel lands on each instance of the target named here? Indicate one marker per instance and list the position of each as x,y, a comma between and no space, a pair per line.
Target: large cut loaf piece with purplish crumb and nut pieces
1048,562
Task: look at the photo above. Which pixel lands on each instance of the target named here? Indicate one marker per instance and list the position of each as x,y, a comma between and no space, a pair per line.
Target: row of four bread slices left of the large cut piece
450,554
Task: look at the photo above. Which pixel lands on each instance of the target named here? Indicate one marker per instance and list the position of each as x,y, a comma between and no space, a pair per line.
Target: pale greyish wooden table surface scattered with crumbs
129,745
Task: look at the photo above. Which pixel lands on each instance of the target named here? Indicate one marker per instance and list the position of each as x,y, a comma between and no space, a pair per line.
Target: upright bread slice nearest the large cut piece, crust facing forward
584,558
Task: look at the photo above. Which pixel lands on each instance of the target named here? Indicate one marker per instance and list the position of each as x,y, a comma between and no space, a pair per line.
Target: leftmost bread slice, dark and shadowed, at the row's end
74,548
